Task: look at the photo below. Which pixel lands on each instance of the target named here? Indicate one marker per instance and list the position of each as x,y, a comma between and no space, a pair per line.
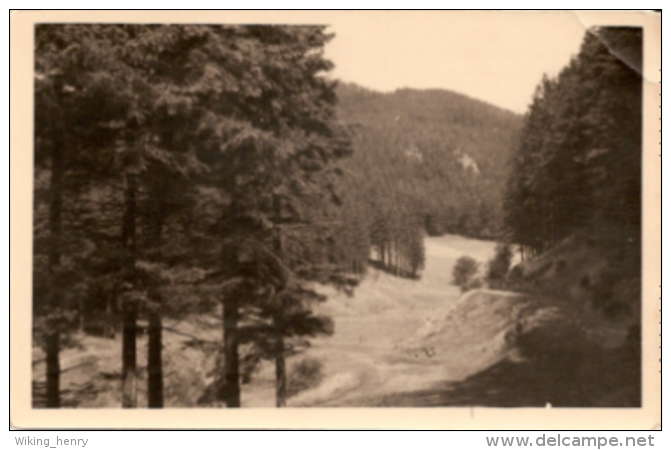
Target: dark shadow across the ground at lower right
589,377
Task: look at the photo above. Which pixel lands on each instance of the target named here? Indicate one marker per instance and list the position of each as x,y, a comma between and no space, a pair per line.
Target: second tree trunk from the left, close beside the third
130,307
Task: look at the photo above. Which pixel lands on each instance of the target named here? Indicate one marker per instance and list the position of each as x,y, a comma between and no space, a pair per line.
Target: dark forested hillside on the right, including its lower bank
573,200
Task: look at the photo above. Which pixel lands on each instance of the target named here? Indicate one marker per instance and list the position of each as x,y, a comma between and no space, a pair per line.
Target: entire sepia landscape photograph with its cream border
368,210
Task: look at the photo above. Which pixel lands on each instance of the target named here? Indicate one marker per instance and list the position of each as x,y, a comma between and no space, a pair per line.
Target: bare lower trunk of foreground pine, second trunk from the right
231,386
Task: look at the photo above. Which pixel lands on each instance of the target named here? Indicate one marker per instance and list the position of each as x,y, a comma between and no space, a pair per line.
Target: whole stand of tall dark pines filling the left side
185,169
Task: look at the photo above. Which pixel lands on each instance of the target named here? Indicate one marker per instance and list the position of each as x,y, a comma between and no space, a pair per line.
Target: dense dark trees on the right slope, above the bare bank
578,163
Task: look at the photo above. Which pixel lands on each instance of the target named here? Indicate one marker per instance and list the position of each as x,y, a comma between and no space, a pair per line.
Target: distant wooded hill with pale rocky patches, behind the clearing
425,162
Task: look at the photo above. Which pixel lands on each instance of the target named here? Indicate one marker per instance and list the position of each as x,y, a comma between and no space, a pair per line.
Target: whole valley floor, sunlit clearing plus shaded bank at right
420,343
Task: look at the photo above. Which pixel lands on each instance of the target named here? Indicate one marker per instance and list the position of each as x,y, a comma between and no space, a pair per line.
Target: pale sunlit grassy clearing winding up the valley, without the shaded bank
373,352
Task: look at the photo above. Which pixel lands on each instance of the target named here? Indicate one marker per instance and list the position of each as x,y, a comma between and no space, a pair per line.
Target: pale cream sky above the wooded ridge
498,57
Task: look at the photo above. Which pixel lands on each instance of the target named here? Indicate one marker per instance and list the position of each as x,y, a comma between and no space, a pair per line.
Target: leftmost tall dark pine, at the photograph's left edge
75,113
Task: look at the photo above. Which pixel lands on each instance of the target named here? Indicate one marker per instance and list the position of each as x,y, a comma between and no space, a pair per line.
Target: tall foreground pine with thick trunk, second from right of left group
265,132
